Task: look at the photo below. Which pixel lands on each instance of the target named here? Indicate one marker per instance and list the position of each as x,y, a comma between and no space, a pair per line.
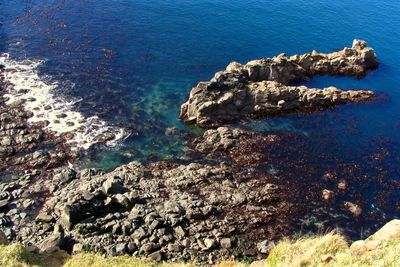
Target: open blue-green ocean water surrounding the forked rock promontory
132,63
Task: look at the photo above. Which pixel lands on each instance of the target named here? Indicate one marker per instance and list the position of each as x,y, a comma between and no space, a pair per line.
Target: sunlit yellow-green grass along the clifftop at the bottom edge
308,251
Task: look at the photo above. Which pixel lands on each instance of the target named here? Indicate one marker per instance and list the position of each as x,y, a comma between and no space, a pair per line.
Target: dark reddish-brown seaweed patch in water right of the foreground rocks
302,171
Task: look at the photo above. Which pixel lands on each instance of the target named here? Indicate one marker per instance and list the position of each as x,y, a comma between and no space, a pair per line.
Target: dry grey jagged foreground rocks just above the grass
162,210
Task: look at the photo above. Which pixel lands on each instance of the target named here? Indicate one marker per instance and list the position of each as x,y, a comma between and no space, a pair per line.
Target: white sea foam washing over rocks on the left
38,94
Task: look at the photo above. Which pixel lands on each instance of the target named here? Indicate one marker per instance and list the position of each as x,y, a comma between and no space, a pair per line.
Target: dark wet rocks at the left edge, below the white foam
28,155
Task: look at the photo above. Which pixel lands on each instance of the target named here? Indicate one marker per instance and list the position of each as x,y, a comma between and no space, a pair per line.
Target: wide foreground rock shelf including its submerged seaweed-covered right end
226,203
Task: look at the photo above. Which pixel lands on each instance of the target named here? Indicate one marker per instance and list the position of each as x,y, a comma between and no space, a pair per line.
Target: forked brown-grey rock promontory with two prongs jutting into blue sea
265,86
